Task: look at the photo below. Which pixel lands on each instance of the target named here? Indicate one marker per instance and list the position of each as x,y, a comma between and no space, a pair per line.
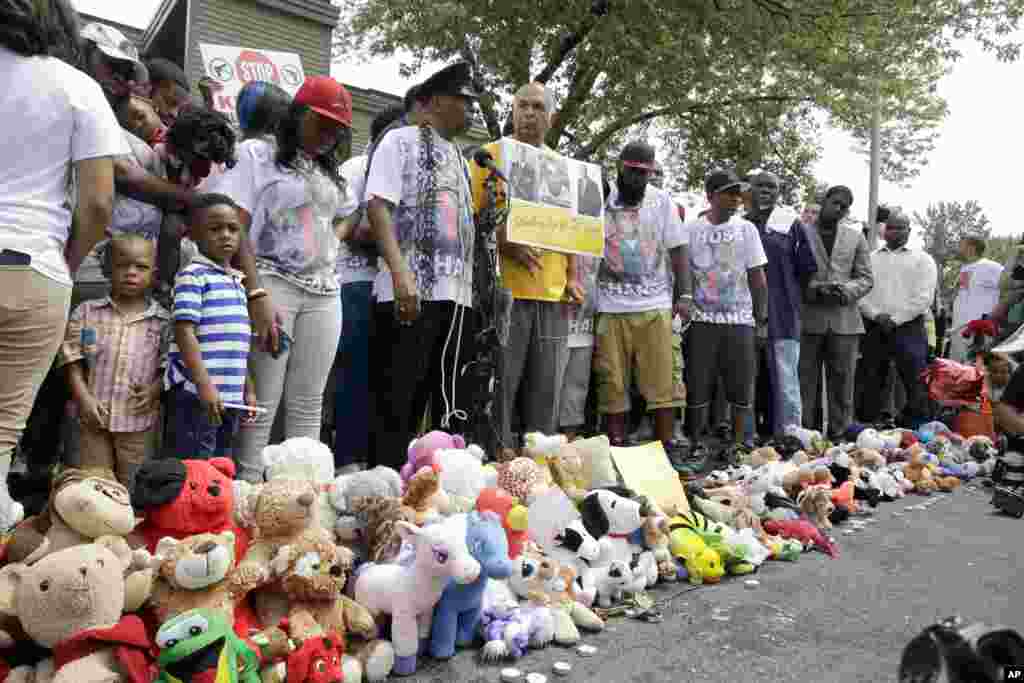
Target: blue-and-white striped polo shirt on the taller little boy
212,298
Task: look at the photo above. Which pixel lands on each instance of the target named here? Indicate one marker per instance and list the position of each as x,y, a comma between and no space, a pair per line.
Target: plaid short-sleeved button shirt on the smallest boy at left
119,353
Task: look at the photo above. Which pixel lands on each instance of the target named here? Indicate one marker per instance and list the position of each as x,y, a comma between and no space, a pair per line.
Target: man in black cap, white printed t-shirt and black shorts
731,300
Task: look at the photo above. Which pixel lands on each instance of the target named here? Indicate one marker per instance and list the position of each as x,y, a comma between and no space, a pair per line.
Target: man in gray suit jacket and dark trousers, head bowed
832,322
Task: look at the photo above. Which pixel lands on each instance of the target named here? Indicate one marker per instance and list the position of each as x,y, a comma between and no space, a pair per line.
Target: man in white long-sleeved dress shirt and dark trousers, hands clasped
894,319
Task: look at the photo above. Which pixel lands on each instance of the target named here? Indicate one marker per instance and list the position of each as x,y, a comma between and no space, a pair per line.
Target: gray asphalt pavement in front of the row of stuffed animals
818,620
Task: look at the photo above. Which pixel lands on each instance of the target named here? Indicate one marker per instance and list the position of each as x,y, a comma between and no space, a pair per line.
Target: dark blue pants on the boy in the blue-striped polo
190,435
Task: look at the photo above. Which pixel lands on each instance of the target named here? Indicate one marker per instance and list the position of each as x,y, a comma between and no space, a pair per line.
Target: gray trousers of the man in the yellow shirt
533,365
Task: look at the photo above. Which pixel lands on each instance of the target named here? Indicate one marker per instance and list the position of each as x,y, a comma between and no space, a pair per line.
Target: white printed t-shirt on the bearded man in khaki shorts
636,274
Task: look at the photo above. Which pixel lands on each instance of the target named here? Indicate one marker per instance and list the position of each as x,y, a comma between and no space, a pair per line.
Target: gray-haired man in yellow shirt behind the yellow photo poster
542,284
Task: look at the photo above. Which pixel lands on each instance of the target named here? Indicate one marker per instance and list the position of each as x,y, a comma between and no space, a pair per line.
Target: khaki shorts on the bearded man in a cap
636,346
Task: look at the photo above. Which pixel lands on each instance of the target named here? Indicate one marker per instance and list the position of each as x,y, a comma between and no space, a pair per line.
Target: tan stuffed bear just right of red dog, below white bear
281,511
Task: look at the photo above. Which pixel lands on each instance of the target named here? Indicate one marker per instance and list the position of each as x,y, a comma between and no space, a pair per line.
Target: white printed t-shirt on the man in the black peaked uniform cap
396,177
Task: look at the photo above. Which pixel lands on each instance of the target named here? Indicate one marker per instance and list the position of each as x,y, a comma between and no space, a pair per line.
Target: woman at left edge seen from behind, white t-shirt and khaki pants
56,124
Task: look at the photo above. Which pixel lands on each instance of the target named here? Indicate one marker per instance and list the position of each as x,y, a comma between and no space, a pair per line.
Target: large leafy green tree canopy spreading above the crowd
728,81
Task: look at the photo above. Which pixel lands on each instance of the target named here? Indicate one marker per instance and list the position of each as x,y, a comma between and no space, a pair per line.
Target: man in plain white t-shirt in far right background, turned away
977,294
